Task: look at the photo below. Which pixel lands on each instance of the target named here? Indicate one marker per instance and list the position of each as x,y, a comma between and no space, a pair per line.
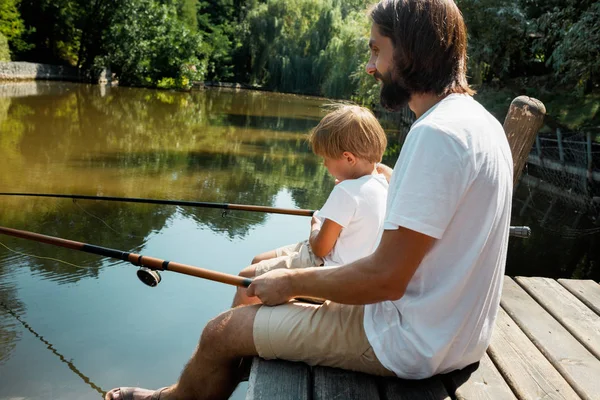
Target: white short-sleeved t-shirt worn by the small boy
358,205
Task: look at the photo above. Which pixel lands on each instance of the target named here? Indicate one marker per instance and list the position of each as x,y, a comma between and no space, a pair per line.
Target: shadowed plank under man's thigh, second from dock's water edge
335,383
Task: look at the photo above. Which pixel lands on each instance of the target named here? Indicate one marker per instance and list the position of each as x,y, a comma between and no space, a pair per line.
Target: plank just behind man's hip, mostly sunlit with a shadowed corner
480,381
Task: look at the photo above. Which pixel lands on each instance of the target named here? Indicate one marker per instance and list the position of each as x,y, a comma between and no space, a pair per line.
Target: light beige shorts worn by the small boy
298,255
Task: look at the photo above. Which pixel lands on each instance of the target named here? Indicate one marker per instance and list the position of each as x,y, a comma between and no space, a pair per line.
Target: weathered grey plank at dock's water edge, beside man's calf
277,379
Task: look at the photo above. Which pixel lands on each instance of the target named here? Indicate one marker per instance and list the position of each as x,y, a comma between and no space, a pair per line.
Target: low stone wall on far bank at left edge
18,71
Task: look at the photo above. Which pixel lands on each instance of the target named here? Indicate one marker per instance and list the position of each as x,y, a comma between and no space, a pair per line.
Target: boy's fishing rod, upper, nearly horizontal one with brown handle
204,204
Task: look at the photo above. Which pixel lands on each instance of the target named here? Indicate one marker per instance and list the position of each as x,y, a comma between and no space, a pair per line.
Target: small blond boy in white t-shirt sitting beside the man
347,227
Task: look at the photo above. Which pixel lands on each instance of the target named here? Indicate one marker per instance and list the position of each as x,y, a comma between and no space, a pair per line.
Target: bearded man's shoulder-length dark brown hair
430,44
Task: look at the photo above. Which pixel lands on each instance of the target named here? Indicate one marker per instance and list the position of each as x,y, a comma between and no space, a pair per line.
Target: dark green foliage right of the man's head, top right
515,38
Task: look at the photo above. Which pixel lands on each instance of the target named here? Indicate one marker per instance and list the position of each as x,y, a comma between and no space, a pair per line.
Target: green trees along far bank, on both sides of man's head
306,46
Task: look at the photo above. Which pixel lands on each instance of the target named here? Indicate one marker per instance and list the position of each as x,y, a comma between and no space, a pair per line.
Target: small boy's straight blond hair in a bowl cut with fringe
349,128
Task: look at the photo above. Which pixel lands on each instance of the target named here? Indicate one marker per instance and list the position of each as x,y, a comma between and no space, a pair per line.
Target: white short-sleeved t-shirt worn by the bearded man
453,182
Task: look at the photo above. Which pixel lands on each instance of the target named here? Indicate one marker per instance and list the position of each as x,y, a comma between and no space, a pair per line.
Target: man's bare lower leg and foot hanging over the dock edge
213,371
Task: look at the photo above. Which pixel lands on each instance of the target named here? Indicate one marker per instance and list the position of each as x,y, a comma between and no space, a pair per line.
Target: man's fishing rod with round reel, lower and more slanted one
149,266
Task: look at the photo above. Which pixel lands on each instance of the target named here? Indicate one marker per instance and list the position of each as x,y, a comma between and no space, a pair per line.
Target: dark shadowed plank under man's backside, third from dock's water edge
401,389
